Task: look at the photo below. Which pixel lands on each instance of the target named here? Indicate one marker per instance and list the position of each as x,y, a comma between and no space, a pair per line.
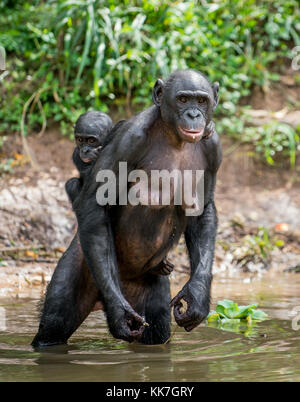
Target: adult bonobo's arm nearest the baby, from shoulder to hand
96,237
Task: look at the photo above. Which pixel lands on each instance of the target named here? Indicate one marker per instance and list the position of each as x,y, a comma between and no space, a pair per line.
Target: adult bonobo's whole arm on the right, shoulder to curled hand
200,236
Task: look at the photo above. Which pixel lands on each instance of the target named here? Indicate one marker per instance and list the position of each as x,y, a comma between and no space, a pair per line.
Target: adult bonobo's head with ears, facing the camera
186,102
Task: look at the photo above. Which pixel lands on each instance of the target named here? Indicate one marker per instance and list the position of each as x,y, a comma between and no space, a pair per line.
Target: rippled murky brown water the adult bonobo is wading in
270,352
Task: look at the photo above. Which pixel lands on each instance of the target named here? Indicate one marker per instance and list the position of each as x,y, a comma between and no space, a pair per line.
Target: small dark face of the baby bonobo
89,146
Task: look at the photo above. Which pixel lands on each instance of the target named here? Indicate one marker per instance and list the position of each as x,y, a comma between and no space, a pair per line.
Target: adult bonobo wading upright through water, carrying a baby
123,243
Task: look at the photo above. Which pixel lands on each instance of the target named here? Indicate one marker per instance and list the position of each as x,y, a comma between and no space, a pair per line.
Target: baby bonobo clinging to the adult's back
90,130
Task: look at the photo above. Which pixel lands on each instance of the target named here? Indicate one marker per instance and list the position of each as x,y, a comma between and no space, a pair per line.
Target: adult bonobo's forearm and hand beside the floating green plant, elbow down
200,238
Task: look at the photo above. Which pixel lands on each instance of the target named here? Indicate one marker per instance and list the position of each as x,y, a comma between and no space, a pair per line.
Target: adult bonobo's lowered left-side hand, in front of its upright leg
124,323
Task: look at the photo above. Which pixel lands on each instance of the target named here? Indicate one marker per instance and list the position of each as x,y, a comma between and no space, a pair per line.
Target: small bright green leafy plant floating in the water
228,316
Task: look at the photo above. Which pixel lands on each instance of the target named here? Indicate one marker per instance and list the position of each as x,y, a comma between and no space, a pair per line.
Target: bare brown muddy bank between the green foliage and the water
37,222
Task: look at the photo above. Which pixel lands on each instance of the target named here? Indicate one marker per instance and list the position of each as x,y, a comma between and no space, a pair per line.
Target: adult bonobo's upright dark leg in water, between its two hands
157,310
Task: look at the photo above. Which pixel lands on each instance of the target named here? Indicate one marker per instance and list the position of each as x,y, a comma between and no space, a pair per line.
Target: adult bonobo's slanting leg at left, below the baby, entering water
70,297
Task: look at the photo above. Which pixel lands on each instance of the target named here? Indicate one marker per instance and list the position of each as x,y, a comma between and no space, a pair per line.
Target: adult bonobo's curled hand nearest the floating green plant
197,306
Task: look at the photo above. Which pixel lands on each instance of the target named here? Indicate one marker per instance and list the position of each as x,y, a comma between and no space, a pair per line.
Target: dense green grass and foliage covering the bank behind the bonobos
73,55
